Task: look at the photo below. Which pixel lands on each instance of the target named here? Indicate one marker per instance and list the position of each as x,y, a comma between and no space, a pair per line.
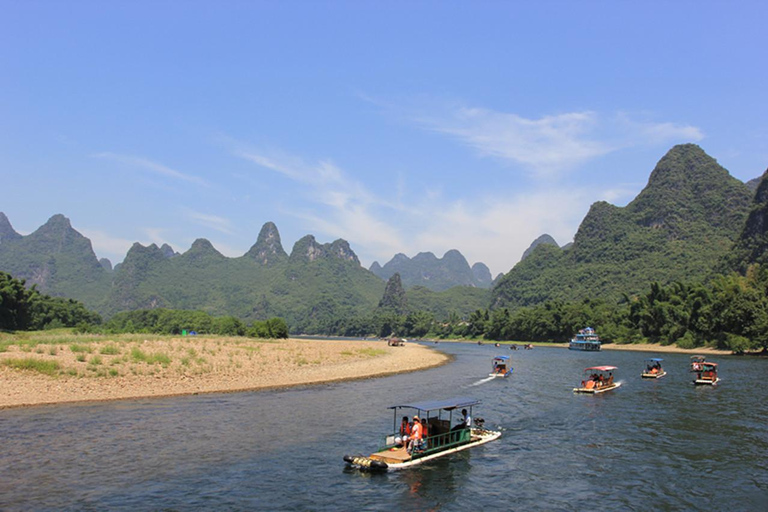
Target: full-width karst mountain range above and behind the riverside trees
691,219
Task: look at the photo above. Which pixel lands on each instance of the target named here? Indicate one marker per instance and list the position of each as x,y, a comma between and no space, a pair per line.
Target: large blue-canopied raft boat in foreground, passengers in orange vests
441,440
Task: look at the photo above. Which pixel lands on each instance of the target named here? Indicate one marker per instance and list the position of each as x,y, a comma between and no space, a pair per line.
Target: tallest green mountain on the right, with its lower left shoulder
676,229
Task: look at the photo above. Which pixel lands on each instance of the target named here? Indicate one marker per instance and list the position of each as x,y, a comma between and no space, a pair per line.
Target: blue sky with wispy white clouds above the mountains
399,126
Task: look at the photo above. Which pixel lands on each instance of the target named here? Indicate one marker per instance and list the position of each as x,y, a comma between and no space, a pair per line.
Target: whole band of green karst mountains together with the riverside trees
660,269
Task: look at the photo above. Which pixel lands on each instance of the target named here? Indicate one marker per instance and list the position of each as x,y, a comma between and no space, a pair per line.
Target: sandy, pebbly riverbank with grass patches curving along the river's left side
114,369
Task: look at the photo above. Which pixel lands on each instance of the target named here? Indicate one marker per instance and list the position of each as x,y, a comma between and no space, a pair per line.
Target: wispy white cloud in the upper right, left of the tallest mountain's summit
544,146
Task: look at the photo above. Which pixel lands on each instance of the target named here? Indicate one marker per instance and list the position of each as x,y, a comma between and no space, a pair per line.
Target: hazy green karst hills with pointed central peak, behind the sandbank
316,284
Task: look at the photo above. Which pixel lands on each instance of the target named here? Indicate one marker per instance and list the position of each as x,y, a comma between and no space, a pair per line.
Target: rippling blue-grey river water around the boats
663,444
